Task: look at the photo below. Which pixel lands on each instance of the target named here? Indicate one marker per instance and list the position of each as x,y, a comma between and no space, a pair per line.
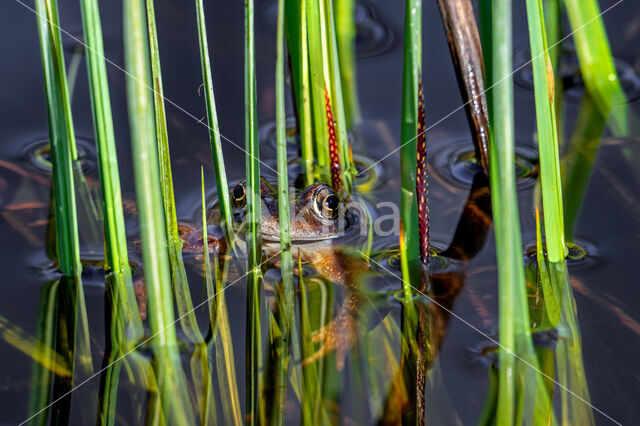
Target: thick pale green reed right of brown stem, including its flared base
518,378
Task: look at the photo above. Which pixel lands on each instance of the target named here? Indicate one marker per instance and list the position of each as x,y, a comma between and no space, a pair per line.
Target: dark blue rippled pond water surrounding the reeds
608,228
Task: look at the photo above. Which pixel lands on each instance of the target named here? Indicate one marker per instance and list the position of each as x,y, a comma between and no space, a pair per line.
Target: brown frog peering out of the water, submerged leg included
320,224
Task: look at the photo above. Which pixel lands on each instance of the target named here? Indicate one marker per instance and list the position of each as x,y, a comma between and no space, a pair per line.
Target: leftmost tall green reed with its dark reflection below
75,341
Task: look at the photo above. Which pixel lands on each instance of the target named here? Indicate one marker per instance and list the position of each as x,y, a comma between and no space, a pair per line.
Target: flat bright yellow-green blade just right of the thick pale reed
543,80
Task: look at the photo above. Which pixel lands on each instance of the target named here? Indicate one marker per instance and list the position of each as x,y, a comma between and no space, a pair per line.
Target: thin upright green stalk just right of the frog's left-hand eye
254,245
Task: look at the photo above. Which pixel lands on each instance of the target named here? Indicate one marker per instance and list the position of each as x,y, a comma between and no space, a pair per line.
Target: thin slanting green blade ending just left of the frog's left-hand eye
214,134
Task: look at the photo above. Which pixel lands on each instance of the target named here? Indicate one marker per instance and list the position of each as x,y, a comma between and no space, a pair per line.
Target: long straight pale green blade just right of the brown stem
507,226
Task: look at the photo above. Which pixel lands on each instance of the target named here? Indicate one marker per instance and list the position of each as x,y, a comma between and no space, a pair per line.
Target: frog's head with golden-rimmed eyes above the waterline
316,214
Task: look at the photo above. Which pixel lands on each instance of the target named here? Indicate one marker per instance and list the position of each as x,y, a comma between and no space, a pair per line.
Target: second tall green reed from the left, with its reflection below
126,325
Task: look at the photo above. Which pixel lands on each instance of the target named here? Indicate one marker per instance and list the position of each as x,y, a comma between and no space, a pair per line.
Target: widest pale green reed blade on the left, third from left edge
171,380
